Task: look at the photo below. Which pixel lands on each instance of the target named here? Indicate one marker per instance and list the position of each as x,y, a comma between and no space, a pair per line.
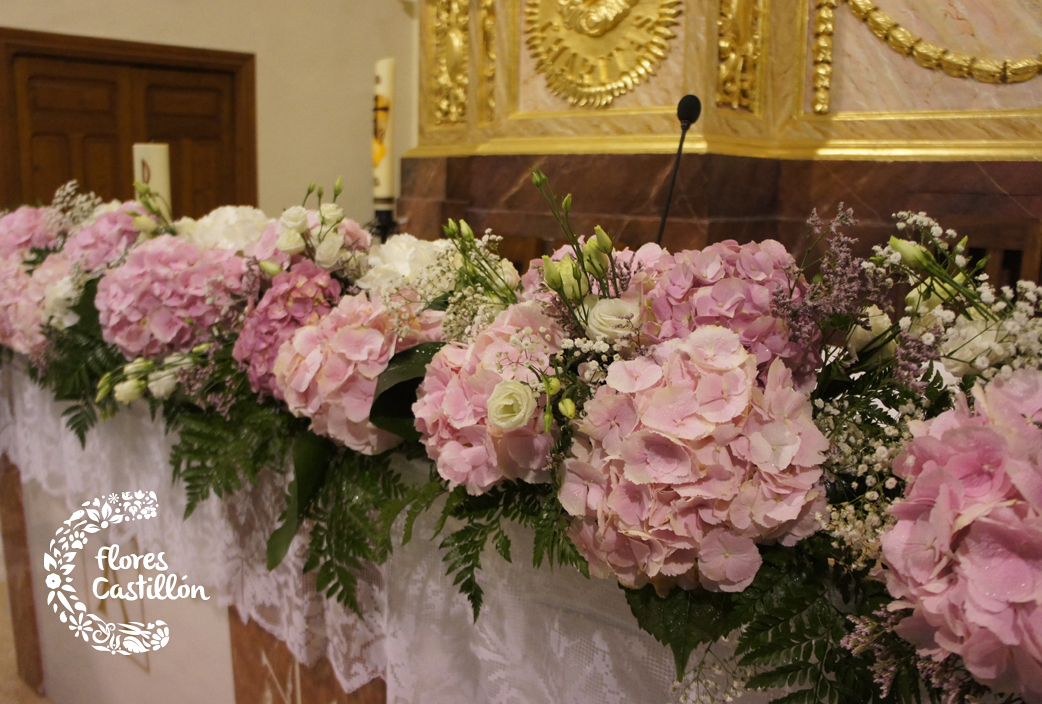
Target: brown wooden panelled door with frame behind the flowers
78,106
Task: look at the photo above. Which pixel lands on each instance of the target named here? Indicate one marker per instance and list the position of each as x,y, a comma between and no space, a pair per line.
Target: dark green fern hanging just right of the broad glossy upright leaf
350,527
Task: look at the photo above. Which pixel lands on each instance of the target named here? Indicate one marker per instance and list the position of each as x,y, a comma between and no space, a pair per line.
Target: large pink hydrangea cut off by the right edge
966,552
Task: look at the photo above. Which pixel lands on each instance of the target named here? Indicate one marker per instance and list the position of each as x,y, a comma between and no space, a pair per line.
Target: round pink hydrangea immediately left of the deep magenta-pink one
167,297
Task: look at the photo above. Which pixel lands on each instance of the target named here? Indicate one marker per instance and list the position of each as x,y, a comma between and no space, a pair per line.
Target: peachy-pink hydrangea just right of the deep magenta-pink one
328,372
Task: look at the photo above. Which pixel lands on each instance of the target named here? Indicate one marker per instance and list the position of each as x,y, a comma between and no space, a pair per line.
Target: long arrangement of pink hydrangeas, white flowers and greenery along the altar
841,484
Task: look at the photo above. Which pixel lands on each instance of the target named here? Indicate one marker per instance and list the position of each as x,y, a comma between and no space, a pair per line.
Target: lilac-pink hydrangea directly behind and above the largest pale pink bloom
733,286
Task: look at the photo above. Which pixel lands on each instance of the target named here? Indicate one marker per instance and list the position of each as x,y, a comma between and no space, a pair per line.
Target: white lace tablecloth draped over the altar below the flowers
543,636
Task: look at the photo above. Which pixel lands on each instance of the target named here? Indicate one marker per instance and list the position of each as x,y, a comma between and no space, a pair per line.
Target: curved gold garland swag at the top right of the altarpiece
932,57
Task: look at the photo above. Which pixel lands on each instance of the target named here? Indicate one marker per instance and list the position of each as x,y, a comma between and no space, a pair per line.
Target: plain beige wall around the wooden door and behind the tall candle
315,74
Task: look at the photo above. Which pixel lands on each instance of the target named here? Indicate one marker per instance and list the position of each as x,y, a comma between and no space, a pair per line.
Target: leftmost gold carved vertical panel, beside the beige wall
451,63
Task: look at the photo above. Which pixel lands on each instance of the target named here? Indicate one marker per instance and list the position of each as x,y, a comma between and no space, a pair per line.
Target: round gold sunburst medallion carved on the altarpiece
593,52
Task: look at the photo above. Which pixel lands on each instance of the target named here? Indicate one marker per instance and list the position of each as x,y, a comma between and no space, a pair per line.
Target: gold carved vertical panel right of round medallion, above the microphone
741,42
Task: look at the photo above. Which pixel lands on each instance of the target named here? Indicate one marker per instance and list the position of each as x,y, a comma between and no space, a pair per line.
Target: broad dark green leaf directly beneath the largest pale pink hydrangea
684,620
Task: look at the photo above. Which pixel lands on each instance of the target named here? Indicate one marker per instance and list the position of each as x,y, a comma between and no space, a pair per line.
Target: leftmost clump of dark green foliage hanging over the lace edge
77,360
